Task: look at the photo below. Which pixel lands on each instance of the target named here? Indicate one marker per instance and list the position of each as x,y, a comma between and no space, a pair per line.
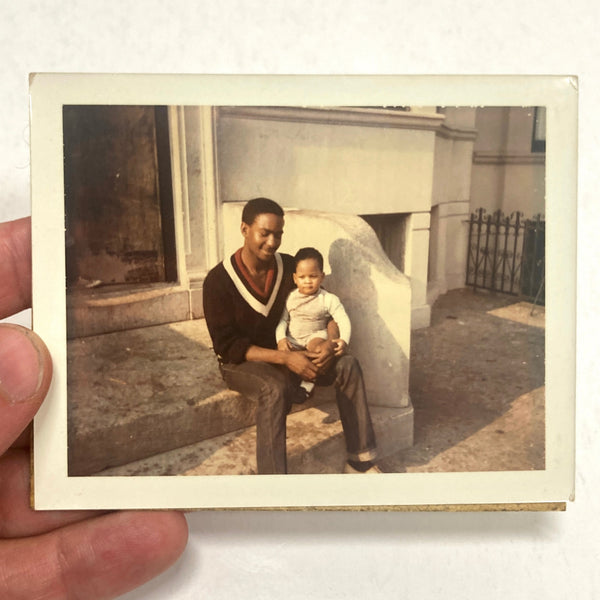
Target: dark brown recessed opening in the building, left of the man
118,196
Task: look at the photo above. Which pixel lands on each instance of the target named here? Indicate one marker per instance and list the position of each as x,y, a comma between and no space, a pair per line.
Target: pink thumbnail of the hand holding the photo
20,364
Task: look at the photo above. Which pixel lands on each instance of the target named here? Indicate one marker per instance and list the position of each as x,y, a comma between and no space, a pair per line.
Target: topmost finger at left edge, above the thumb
15,266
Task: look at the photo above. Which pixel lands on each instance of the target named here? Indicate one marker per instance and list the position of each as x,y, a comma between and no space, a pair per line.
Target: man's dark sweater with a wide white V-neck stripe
239,315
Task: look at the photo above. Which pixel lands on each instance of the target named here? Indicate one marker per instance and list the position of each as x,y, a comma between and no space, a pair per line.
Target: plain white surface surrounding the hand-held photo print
347,555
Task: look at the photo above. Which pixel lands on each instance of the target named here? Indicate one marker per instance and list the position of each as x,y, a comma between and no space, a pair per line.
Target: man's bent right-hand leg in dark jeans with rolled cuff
351,398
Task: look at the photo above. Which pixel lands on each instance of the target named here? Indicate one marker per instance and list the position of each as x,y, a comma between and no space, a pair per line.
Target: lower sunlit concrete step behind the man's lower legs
315,444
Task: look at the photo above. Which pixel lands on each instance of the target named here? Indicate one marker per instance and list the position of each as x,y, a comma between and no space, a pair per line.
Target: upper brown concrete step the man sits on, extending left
138,393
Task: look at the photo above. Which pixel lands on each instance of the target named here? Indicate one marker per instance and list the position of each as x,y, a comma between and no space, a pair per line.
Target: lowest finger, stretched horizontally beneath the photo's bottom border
96,558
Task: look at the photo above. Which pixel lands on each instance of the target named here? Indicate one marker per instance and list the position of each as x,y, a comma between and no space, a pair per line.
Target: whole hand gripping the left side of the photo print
58,554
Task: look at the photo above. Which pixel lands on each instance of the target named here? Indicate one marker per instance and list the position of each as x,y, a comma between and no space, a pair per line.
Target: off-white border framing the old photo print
54,489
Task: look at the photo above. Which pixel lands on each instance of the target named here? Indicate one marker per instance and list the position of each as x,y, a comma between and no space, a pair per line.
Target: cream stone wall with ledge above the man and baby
343,160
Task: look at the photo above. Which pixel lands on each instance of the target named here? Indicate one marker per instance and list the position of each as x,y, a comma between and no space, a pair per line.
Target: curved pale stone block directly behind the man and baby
375,294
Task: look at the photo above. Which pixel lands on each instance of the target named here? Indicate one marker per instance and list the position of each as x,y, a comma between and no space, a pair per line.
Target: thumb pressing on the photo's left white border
25,375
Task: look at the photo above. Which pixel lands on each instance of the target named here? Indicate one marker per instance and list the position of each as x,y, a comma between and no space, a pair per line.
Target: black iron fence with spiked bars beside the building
507,254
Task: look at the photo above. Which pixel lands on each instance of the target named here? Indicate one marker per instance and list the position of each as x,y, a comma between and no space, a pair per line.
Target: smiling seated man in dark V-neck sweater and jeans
244,298
